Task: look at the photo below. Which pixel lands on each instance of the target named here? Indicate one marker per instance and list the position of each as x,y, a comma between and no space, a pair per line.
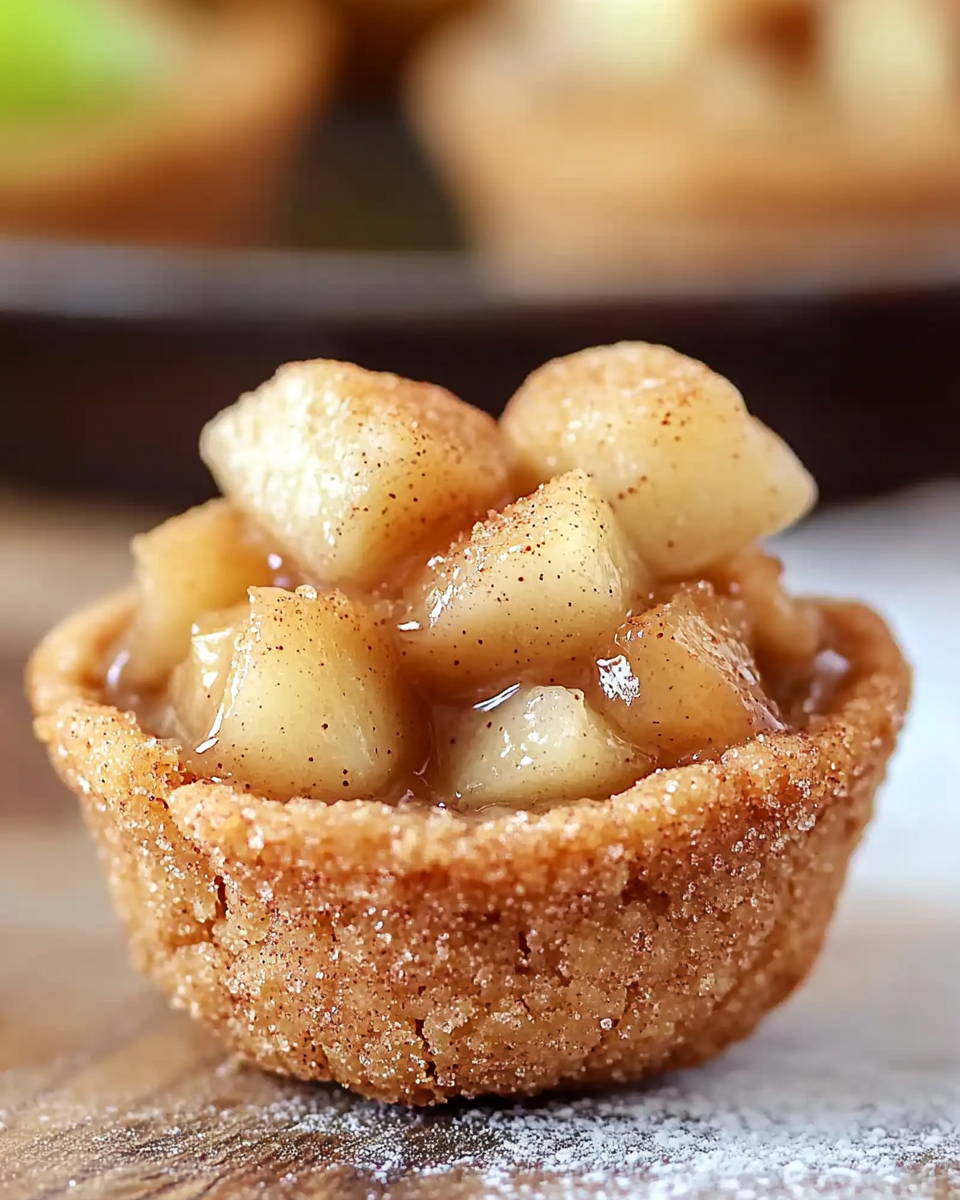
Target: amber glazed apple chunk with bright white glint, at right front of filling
680,683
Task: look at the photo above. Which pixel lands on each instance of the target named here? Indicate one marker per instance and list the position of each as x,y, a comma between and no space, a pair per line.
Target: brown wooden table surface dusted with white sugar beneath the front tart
106,1094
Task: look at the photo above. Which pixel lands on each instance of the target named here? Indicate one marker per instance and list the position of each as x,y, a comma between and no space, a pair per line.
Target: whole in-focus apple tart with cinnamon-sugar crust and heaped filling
447,757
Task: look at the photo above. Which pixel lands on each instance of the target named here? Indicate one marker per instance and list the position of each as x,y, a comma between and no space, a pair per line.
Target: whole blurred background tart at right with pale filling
598,141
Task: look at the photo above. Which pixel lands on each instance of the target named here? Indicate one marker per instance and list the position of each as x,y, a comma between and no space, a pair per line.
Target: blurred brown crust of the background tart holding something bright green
206,160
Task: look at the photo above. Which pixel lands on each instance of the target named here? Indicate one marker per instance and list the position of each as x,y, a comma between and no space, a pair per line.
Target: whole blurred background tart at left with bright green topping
155,121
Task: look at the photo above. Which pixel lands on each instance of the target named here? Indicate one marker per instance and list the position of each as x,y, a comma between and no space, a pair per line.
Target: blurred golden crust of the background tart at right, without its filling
585,185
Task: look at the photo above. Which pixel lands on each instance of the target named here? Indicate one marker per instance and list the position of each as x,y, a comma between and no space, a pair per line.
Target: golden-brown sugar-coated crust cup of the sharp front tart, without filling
417,955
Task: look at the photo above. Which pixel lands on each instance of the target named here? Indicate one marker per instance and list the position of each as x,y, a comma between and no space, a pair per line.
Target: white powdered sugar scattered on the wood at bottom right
736,1131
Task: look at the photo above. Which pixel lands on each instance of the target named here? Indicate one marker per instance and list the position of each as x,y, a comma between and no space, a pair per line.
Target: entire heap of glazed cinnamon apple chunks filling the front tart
436,643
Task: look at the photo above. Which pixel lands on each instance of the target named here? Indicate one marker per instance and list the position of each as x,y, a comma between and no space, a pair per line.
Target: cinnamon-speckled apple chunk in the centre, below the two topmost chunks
531,593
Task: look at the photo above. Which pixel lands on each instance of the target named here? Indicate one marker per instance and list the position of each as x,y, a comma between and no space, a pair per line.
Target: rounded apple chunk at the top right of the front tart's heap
689,473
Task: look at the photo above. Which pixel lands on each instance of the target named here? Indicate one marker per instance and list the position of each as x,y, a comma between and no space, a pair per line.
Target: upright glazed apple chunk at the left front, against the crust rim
313,704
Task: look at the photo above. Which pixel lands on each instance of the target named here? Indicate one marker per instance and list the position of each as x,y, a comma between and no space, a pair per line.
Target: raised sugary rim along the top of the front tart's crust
97,747
